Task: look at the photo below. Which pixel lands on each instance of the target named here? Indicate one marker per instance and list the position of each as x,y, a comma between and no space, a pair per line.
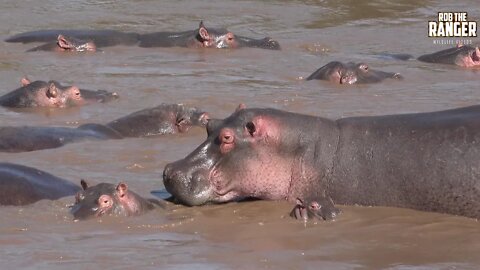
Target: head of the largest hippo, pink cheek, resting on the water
253,153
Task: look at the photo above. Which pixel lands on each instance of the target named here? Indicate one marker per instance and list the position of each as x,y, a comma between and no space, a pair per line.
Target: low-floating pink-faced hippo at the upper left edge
52,94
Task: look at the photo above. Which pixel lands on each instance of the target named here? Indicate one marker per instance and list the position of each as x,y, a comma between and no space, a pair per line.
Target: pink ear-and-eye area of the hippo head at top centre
216,38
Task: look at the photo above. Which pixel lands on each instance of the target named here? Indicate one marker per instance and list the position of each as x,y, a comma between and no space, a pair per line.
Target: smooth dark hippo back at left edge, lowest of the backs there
22,185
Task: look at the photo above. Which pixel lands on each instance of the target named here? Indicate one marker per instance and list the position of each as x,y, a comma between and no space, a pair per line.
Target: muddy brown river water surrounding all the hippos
238,235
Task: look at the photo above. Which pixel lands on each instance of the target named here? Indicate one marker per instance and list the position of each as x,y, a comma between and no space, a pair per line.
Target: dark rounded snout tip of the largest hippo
188,187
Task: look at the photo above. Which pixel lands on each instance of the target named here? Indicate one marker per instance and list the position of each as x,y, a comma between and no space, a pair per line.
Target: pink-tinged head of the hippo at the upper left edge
52,94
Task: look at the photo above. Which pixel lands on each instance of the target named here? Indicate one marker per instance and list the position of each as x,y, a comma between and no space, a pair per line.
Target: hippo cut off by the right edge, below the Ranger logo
461,55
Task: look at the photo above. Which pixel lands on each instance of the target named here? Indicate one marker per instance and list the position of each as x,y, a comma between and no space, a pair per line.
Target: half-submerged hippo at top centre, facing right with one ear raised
205,38
